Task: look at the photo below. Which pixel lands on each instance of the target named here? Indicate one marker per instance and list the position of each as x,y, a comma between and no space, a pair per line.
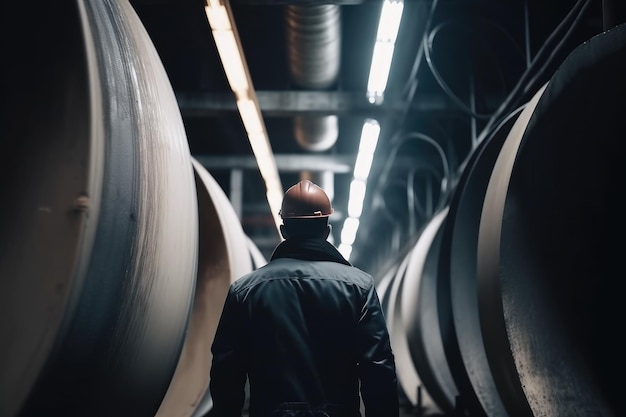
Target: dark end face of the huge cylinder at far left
51,174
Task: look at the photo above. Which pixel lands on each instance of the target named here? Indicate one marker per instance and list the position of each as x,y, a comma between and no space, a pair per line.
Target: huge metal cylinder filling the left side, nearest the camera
100,241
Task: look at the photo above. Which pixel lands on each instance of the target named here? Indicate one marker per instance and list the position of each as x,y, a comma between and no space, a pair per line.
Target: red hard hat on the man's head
305,200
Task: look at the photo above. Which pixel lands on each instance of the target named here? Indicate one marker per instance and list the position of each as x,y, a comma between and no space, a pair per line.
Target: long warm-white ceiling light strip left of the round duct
231,54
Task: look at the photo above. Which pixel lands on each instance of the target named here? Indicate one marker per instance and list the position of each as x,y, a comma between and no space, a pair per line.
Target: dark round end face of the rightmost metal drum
561,237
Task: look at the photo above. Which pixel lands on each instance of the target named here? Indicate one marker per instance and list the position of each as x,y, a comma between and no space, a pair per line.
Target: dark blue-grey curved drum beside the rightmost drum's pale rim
457,288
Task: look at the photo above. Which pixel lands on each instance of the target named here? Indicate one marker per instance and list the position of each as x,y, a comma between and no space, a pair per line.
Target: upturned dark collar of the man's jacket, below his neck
309,249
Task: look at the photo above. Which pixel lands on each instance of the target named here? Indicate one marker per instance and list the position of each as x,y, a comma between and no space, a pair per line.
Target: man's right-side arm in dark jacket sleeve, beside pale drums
379,384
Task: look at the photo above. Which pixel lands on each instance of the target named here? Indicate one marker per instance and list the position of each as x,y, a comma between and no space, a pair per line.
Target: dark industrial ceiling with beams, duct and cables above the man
459,68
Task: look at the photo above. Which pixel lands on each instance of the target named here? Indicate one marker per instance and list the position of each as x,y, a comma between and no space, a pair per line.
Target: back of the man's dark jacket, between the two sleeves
303,333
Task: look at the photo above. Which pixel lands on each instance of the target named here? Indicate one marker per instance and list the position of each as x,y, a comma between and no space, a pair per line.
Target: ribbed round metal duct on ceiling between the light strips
314,44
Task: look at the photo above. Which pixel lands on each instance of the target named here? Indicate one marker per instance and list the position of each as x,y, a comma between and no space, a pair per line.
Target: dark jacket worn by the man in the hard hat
307,329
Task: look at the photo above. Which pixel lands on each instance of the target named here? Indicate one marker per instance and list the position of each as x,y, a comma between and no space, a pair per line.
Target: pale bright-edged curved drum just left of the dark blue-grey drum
419,311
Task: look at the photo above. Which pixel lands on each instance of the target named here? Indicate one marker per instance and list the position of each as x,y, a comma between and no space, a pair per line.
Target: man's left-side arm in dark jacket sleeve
228,372
